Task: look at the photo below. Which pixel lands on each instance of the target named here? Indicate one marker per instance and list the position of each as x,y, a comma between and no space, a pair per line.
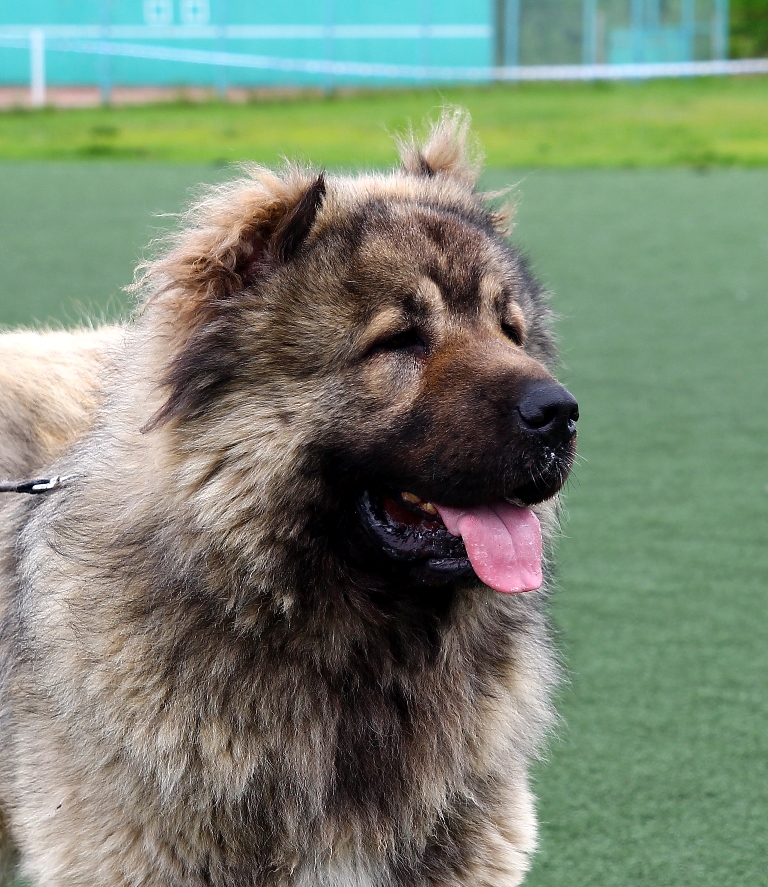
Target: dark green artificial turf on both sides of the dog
659,775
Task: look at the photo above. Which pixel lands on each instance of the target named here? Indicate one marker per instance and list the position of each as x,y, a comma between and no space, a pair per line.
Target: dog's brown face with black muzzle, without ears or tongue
433,344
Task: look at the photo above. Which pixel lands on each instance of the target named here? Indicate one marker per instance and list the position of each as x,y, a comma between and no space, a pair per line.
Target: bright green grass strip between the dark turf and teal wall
660,123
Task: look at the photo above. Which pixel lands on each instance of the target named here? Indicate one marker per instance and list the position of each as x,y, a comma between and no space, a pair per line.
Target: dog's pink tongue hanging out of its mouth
503,543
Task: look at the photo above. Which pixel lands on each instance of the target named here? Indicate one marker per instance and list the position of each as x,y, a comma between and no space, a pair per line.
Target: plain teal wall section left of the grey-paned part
196,24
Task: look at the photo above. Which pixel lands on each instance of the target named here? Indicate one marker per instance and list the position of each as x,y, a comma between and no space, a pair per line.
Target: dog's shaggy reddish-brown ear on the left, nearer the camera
236,235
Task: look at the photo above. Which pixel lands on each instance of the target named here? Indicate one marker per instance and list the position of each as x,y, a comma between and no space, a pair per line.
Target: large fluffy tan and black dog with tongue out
282,620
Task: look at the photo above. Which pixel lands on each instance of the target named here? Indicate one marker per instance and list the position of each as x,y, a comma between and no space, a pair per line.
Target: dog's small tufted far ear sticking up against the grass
449,150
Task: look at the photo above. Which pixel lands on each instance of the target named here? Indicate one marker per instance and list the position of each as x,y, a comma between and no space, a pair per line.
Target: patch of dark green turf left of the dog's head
72,233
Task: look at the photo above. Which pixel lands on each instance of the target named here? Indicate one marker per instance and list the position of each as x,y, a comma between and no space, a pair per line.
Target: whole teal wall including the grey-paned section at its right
451,33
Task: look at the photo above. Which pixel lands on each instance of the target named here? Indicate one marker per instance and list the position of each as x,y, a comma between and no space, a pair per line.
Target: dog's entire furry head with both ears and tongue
366,364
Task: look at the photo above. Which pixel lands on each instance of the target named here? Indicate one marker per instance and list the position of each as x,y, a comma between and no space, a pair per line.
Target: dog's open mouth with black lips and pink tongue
500,541
